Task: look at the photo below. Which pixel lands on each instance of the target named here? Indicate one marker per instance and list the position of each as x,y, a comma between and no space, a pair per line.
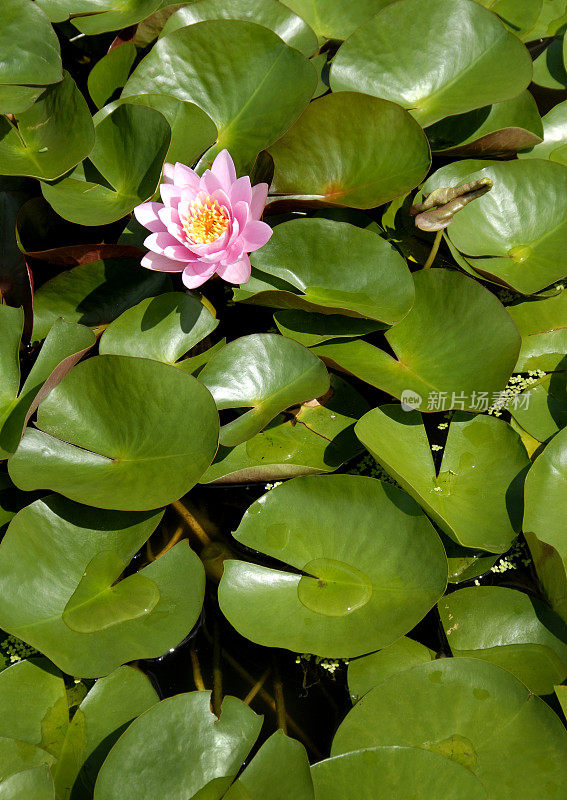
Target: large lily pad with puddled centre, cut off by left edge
39,599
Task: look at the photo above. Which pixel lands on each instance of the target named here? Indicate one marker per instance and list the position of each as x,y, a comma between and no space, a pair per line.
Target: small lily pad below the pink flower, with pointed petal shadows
163,327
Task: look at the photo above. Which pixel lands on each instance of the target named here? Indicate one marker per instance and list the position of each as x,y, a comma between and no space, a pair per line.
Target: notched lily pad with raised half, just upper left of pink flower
123,169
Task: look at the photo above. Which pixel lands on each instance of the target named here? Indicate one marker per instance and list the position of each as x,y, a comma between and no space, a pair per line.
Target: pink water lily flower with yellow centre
206,224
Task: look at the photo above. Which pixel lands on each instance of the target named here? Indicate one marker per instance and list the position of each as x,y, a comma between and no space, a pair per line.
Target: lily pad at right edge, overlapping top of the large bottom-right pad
510,629
